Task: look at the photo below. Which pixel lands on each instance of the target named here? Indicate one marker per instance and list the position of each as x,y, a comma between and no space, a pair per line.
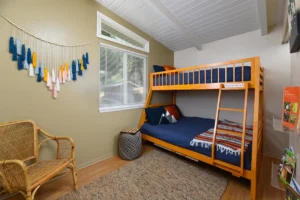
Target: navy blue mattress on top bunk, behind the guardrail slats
187,78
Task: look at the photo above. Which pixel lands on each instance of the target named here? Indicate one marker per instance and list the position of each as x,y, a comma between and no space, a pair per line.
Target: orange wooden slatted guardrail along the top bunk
210,76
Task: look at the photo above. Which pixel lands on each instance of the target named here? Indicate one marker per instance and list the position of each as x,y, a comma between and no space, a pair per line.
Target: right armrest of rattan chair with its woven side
65,145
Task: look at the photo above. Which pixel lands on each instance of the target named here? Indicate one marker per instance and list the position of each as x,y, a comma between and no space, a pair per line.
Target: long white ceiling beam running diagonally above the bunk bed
158,6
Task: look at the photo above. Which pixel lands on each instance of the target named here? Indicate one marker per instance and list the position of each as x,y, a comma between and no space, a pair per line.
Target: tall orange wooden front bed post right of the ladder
256,67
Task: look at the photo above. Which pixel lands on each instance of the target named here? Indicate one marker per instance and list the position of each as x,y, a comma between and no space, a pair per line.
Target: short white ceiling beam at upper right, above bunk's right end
262,14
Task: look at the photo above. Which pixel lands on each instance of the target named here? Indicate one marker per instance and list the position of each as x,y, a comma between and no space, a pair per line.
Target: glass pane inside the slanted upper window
117,35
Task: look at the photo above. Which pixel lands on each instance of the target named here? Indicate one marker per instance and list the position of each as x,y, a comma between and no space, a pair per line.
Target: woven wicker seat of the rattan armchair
47,168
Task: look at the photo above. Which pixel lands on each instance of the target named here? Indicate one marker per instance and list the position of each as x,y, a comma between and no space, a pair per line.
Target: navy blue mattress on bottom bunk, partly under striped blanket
182,132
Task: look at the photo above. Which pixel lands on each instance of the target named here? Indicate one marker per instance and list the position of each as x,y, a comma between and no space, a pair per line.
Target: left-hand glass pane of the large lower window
111,77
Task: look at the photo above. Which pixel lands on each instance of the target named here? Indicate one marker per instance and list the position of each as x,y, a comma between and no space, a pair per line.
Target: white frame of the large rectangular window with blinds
132,106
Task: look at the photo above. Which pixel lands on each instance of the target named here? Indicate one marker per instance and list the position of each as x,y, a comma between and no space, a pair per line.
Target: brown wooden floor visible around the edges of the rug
237,189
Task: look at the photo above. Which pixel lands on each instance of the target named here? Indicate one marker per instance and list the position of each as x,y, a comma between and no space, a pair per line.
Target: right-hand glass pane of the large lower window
135,76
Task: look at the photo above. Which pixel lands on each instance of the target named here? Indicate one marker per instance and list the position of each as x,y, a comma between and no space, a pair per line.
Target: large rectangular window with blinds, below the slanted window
122,79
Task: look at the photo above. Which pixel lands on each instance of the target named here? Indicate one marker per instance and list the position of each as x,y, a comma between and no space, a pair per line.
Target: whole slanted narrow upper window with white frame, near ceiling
110,30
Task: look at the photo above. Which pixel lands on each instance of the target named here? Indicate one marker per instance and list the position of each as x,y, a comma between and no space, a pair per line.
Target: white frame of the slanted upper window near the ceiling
122,29
